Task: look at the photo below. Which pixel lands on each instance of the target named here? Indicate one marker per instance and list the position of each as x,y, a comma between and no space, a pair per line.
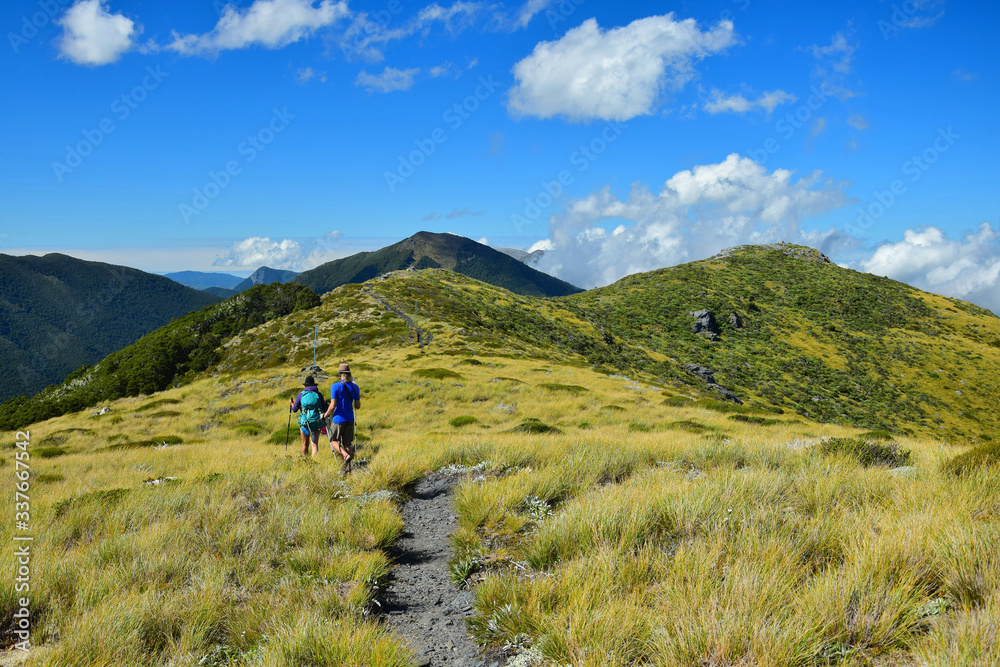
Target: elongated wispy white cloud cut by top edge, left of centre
269,23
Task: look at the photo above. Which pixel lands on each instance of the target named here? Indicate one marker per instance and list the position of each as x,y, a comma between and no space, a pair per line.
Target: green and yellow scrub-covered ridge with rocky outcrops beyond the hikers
812,338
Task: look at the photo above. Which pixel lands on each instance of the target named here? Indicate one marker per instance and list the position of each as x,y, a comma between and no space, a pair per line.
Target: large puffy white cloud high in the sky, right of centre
614,74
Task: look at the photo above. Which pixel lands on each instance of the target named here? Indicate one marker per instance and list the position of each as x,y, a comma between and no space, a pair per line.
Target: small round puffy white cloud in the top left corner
94,36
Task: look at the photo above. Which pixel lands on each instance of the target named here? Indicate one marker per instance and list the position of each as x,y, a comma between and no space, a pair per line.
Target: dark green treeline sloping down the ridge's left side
166,357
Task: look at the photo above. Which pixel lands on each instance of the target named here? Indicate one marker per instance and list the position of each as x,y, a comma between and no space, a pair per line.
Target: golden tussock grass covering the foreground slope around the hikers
621,540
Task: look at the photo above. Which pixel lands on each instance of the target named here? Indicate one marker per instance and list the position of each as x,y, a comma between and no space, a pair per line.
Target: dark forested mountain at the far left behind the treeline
58,313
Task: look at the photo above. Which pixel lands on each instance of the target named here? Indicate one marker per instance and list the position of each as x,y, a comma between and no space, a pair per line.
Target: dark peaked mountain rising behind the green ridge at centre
429,250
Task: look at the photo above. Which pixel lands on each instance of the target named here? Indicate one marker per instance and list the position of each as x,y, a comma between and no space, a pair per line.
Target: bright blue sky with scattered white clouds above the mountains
620,137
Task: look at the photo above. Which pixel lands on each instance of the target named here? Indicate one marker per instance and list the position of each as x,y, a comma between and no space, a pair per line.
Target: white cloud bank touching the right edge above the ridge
966,268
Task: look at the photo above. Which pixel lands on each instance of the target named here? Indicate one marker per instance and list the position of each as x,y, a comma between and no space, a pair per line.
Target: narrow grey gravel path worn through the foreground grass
421,602
